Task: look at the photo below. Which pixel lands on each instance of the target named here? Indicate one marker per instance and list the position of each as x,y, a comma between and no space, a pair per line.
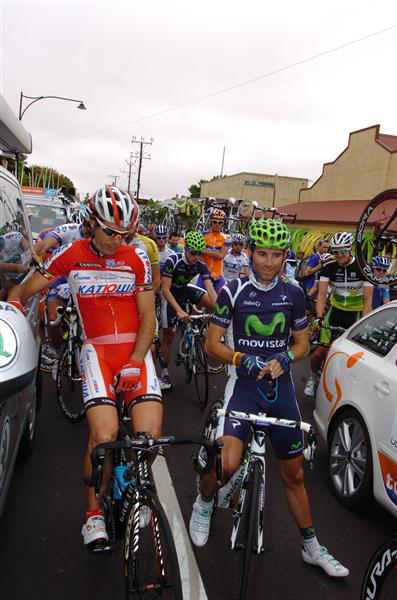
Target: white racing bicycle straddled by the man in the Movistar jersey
248,483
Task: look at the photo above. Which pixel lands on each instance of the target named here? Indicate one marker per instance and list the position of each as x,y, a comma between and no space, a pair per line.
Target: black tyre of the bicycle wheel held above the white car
373,208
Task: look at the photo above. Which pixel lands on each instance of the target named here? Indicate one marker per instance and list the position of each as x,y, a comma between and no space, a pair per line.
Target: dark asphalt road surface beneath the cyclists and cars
41,552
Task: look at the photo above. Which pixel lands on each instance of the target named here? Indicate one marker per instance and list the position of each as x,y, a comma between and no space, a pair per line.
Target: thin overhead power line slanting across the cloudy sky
228,89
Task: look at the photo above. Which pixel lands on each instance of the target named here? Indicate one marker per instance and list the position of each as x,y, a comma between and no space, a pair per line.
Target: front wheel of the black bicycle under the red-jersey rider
151,563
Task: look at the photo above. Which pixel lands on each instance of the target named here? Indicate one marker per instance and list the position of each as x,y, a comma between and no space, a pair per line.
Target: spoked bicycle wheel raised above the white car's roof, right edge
382,212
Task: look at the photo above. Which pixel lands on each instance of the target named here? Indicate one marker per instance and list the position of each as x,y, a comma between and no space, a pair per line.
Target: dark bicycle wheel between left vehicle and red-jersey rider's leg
69,387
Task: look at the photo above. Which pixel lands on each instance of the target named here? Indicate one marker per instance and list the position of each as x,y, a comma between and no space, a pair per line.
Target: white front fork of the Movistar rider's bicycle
256,454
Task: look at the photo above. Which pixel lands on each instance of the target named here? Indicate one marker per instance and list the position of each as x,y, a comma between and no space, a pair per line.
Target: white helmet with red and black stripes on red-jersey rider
116,206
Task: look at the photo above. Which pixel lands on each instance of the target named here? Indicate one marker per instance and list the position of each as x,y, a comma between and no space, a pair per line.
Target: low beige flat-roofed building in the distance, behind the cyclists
266,190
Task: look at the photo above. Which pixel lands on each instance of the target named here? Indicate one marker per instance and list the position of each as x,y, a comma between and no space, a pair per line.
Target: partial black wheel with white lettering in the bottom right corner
380,579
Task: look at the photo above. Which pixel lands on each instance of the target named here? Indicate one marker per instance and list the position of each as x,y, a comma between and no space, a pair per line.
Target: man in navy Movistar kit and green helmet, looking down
262,318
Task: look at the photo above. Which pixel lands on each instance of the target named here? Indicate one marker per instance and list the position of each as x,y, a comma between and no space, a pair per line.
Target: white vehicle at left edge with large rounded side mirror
20,378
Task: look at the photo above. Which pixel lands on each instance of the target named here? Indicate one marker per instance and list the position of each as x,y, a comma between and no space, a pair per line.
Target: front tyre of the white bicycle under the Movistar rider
248,520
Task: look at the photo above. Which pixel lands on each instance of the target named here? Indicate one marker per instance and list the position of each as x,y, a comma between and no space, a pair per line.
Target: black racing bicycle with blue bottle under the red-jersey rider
150,568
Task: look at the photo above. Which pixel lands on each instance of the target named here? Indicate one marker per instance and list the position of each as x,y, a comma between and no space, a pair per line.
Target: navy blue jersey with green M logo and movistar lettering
259,319
